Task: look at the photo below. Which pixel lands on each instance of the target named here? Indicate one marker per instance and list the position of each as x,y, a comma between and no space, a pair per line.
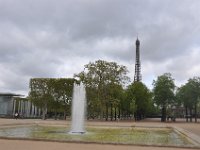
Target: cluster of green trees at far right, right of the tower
168,97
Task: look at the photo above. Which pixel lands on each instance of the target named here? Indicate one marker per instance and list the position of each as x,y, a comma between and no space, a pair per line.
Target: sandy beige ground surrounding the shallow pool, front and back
191,129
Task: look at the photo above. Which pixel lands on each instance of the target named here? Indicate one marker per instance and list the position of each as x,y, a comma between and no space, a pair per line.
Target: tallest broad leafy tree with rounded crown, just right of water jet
100,77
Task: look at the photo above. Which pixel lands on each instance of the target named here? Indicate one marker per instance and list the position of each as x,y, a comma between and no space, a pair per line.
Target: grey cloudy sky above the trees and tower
56,38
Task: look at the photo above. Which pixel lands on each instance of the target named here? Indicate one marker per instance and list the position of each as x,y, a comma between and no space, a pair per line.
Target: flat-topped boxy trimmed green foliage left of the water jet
52,94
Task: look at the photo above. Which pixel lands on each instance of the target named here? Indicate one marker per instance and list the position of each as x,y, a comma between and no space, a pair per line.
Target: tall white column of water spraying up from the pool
78,109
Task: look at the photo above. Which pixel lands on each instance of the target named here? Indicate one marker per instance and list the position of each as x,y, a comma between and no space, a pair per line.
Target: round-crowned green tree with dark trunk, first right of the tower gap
163,89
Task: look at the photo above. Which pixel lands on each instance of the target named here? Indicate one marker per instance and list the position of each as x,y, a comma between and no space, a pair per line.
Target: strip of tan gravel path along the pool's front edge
39,145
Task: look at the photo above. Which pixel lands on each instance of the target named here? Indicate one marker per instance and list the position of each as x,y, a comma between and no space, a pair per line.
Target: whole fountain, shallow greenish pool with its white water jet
132,135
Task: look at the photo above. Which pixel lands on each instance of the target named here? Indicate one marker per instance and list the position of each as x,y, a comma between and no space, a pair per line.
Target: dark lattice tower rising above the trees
137,76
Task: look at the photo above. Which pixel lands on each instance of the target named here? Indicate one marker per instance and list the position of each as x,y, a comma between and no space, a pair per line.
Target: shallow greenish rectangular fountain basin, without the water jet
107,135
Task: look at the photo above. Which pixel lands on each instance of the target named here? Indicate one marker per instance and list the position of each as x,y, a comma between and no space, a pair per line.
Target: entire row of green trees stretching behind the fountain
109,97
